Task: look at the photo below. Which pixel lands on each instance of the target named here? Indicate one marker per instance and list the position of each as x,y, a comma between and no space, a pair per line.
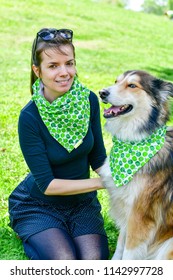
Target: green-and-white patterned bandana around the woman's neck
67,117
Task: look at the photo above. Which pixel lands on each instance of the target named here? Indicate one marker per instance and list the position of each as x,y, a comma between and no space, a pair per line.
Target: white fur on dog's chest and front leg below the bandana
122,200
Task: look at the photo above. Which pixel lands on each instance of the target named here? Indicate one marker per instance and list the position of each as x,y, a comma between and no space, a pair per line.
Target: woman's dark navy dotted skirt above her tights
30,215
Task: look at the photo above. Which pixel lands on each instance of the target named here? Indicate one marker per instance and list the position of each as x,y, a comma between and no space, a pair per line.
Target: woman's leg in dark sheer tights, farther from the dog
50,244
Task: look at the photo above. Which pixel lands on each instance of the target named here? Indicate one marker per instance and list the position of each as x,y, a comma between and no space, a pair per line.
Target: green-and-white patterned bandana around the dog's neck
126,158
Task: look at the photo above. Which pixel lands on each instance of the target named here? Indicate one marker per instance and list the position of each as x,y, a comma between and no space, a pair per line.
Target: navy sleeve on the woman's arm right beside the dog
97,155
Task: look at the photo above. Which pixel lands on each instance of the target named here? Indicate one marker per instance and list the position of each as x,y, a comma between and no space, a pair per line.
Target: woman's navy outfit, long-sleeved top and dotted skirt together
31,211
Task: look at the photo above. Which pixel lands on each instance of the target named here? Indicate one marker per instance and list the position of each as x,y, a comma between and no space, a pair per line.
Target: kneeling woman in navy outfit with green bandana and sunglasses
55,210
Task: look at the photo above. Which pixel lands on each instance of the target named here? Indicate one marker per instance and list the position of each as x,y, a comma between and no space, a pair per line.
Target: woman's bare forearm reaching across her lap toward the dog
70,187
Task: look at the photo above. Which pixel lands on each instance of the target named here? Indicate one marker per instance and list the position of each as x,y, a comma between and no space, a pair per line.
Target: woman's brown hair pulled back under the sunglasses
39,46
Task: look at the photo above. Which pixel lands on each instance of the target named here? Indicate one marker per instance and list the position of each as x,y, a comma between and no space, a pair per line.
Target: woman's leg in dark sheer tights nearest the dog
92,247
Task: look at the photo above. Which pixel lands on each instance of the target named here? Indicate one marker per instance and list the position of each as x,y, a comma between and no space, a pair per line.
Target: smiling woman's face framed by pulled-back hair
57,71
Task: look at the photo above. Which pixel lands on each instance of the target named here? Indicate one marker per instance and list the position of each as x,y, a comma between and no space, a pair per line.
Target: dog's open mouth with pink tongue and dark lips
115,111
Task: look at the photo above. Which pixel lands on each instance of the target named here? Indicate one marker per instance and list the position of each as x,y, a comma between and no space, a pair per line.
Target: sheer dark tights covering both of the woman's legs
56,244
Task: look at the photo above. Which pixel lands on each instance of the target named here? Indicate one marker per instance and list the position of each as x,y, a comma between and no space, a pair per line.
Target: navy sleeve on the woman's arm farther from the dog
34,150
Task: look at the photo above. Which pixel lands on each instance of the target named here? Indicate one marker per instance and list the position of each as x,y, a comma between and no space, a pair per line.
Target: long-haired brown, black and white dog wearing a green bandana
141,203
